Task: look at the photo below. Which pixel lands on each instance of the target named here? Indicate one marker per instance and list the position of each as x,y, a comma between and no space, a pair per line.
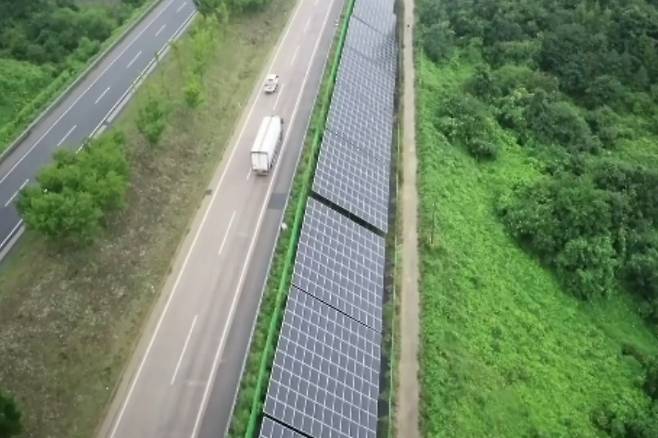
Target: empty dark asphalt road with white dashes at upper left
87,107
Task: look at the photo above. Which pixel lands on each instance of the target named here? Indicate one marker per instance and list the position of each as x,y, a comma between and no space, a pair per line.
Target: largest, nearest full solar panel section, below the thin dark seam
325,376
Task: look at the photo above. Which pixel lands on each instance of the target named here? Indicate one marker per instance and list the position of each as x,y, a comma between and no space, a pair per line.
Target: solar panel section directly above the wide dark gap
353,181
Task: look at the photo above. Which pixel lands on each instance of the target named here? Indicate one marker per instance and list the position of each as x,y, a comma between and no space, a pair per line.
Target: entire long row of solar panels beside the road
325,376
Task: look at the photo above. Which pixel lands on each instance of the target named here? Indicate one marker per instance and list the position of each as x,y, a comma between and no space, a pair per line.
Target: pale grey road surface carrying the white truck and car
183,378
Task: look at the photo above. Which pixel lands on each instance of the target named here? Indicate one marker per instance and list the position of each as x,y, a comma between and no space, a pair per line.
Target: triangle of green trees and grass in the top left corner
45,43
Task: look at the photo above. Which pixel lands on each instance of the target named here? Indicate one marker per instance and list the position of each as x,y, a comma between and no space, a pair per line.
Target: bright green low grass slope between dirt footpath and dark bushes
505,350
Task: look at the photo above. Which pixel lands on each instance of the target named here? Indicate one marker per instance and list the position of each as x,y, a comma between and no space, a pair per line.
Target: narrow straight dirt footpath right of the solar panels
408,394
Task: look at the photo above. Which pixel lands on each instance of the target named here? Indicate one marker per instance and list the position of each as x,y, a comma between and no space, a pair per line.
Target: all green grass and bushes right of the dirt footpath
540,257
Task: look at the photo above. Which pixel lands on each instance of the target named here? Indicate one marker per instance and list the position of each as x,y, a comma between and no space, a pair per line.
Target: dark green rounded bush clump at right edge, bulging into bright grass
595,228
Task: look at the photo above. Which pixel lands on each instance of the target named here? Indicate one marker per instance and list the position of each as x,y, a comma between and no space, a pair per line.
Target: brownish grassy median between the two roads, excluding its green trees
70,320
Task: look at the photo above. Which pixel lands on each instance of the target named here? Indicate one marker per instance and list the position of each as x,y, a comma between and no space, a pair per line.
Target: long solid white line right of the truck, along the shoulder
236,296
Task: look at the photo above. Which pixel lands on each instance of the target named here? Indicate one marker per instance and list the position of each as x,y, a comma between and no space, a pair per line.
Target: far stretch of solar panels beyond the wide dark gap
353,170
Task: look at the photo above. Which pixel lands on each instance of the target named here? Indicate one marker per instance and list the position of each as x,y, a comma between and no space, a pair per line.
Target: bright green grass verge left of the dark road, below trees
28,88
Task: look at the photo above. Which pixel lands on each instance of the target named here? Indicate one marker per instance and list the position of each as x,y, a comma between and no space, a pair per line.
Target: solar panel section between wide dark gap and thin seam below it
341,263
